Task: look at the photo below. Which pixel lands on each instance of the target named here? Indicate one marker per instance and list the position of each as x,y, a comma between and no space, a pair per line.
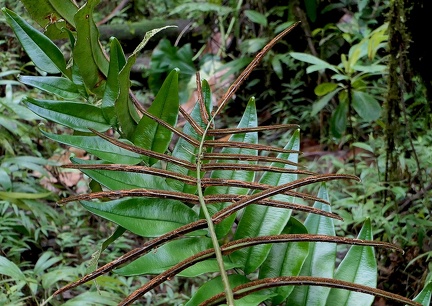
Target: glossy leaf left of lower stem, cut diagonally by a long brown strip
172,253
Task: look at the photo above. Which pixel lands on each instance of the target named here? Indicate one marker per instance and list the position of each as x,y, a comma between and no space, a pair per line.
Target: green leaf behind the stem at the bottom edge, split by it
214,286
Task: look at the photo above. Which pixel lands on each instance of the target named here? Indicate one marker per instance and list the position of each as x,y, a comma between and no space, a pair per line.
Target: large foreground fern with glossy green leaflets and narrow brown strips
205,199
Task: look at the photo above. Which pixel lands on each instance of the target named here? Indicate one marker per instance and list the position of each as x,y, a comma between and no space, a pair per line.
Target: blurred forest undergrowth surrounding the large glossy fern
351,76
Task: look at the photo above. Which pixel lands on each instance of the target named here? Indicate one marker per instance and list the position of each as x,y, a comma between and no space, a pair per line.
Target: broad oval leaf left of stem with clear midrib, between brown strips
147,217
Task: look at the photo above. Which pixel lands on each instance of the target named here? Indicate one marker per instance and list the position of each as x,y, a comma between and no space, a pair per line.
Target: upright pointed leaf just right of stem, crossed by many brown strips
249,119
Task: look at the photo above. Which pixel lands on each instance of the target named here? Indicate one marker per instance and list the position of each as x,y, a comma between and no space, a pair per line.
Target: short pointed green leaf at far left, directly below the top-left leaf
59,86
